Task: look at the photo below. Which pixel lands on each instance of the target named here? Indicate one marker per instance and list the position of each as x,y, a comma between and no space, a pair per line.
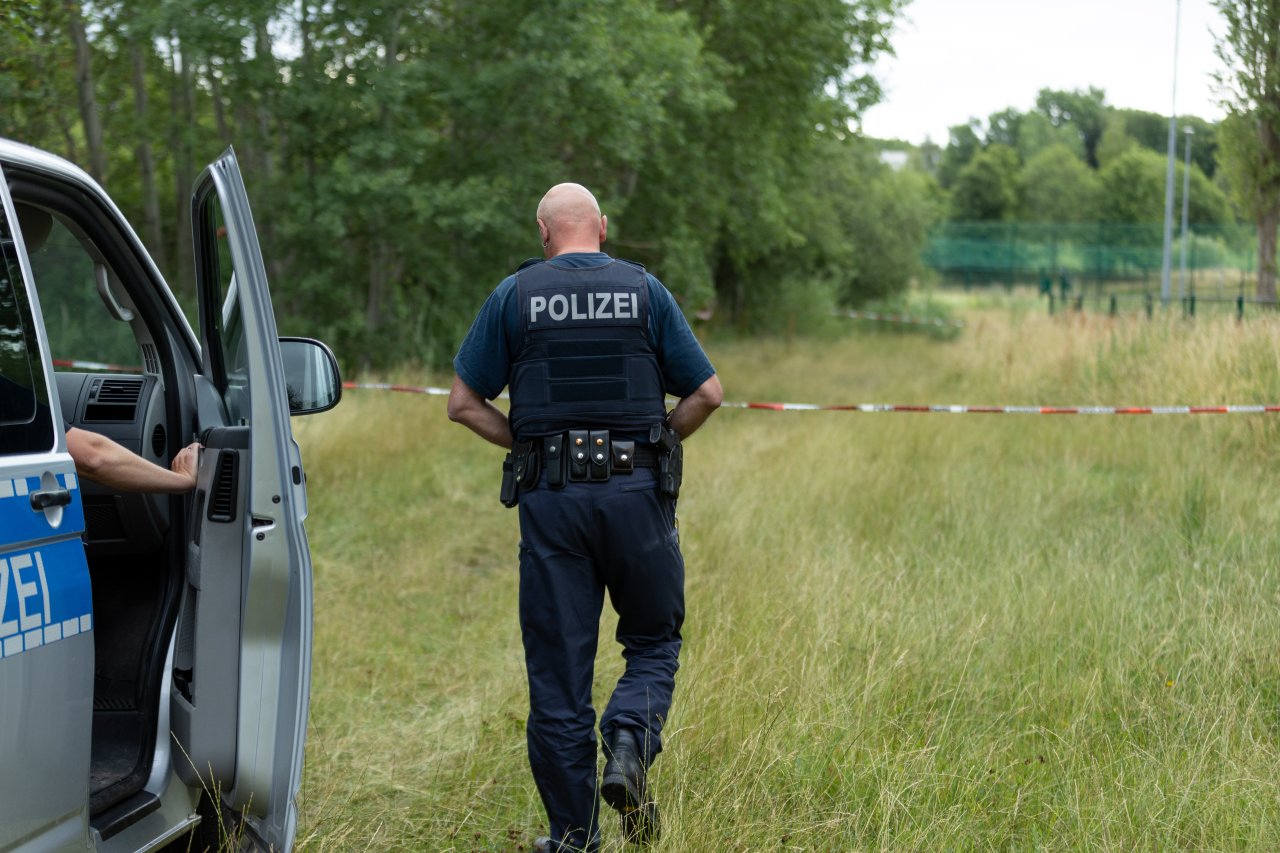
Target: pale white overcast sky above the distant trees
972,58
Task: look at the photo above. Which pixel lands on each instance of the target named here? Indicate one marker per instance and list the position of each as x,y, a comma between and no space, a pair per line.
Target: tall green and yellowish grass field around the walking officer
904,632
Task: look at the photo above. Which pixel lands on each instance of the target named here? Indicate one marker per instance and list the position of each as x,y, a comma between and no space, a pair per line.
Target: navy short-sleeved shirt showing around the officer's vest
486,357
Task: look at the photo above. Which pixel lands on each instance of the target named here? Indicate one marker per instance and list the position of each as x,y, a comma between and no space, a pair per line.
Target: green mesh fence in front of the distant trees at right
1099,258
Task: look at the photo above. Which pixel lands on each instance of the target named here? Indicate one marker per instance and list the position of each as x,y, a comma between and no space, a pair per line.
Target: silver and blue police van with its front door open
156,650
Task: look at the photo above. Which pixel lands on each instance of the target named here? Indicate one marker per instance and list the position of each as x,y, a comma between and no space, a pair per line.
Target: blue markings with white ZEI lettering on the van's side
45,592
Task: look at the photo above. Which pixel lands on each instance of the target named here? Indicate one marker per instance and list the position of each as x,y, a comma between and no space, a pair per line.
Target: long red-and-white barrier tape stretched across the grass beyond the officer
934,410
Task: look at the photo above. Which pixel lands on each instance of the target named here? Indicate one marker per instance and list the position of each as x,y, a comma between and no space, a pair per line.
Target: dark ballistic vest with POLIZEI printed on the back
584,359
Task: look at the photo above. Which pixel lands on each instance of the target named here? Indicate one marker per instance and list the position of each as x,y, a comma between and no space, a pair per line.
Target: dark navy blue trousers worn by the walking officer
577,544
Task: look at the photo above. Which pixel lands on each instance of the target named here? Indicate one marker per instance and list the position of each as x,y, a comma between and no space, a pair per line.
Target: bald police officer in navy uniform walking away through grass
589,348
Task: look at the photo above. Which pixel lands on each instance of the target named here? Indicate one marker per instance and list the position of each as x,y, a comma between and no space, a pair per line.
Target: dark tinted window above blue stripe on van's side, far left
26,423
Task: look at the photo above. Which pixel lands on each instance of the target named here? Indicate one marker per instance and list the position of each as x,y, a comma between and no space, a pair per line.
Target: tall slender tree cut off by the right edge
1251,52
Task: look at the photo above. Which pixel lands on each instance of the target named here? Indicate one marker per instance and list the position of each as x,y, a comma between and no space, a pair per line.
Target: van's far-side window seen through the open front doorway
77,323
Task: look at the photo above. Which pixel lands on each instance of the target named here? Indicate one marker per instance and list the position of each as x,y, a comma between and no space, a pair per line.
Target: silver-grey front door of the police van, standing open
243,664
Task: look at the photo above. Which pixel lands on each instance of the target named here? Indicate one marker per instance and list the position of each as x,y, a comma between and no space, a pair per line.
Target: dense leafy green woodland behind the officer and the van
397,152
